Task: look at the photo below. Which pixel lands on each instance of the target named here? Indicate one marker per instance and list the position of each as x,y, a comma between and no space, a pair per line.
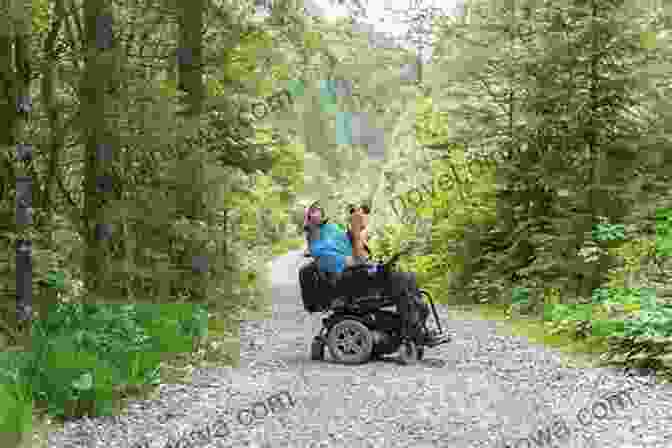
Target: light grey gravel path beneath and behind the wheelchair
481,390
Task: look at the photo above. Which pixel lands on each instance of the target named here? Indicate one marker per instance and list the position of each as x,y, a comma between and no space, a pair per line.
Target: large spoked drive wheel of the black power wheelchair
350,342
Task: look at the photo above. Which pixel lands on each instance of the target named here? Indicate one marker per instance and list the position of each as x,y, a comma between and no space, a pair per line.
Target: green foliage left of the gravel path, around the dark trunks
216,186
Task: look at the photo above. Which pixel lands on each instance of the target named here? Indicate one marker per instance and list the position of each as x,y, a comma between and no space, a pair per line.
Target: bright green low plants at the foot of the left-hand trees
84,354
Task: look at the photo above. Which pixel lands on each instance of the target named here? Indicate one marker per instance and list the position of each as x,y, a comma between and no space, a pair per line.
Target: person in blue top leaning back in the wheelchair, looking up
331,247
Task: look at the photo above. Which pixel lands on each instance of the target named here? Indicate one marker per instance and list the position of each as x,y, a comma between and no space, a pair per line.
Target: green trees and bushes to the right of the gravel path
533,198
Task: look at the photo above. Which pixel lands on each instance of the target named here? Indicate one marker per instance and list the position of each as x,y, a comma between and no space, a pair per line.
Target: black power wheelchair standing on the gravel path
358,327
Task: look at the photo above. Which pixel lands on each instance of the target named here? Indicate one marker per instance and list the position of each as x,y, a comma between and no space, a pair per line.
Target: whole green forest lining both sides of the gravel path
142,192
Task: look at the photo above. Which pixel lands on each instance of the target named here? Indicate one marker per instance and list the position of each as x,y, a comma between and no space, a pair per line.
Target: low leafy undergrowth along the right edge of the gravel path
617,326
